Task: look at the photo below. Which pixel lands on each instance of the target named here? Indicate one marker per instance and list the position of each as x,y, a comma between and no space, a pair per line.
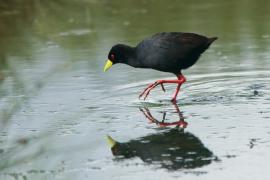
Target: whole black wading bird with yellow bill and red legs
166,51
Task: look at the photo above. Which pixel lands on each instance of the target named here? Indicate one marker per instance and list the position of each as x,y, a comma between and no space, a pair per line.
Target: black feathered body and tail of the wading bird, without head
172,51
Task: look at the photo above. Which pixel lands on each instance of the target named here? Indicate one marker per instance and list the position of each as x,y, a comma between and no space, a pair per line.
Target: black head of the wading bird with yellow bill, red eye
119,53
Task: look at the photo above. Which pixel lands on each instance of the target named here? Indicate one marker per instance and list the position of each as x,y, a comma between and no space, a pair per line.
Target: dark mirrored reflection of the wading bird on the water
171,148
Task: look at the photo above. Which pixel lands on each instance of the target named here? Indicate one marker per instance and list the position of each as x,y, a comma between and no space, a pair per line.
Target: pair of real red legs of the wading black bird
180,80
